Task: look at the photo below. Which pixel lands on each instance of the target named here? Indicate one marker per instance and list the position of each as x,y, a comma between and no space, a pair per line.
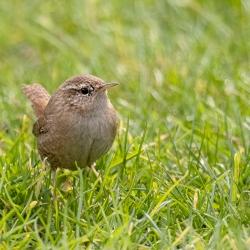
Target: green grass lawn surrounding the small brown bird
178,175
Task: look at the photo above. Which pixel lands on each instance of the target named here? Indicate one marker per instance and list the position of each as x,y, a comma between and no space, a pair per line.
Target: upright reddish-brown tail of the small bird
38,96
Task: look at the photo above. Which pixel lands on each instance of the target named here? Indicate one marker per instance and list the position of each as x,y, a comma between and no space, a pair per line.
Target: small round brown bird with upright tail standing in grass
76,125
